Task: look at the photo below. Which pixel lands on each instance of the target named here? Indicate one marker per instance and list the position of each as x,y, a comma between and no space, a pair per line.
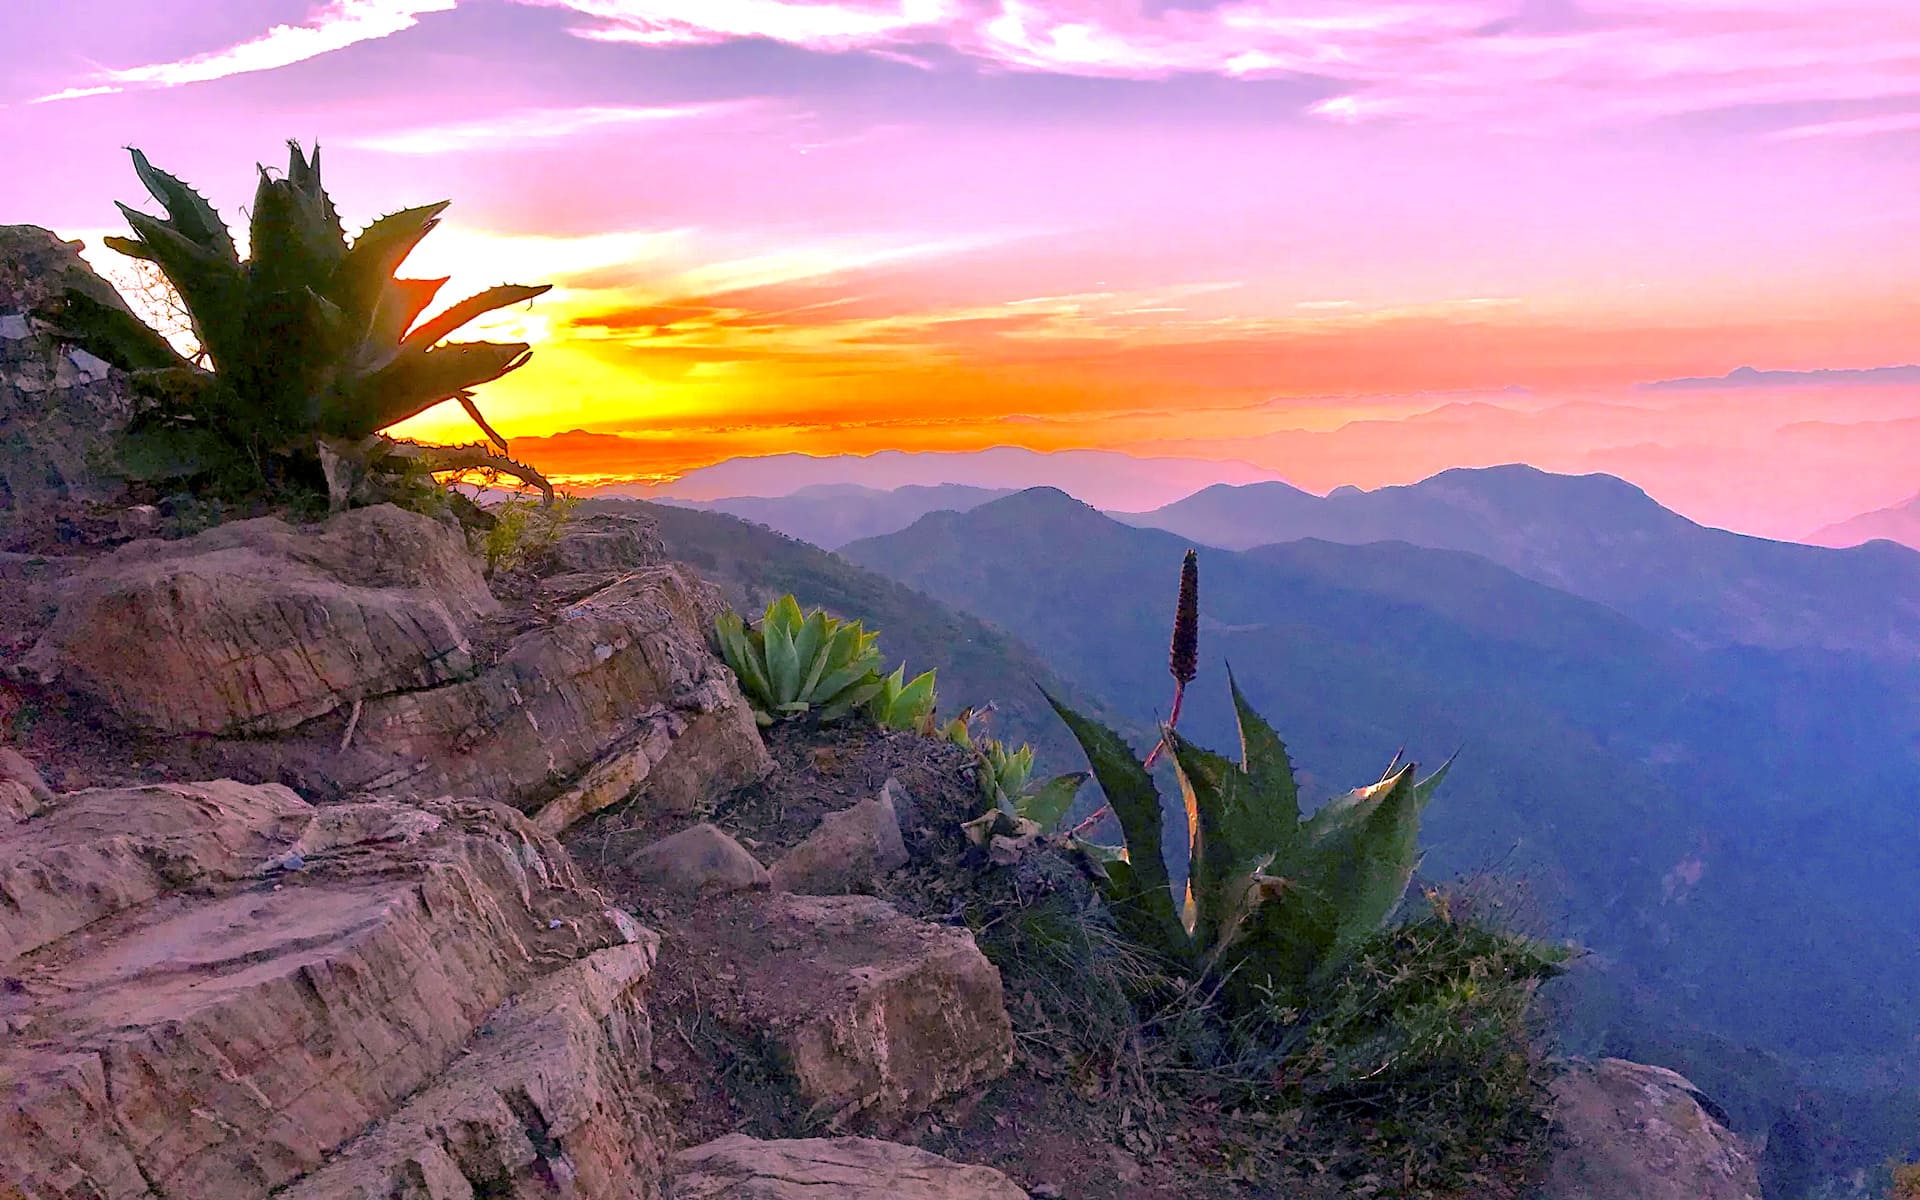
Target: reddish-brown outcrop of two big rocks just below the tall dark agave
366,656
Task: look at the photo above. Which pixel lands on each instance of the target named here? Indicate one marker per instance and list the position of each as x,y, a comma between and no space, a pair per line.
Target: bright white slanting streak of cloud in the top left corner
329,28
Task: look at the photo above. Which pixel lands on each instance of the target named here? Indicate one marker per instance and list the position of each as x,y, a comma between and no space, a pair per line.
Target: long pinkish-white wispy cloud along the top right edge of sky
1552,64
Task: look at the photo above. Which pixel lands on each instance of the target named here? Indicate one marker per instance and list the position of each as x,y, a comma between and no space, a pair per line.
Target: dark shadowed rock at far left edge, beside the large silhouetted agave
60,408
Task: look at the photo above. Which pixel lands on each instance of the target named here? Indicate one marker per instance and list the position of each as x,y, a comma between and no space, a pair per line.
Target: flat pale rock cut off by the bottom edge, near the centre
846,1168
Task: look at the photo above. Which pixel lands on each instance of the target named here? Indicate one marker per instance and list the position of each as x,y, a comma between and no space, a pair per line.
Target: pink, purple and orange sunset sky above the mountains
1343,241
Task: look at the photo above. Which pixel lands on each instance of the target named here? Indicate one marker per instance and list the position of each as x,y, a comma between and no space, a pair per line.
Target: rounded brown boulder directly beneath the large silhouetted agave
258,627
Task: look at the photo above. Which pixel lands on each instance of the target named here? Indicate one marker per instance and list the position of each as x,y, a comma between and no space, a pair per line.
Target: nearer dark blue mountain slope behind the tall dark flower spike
1698,815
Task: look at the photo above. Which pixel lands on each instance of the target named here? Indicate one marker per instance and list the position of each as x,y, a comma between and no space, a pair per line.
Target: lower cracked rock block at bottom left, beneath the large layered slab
550,1097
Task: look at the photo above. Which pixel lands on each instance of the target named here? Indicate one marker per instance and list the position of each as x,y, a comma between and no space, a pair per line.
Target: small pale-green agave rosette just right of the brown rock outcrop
792,665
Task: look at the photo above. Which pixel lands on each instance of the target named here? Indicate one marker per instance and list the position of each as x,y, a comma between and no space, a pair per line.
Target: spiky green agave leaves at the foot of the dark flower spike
1272,901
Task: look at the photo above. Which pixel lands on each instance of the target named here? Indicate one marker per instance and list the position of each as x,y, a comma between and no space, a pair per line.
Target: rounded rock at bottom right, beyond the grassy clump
1629,1132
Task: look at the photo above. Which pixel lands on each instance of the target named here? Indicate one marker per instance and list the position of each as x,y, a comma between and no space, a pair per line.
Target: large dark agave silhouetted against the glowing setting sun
312,345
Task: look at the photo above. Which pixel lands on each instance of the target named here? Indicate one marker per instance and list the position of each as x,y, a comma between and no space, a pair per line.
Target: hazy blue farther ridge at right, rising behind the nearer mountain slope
1600,539
